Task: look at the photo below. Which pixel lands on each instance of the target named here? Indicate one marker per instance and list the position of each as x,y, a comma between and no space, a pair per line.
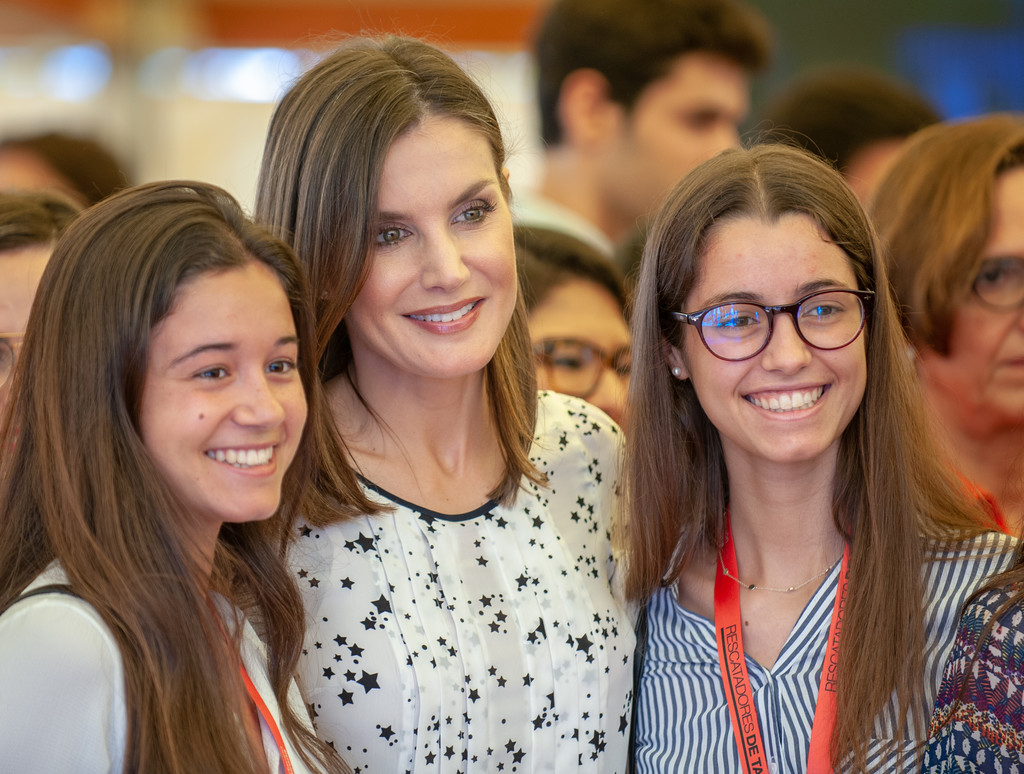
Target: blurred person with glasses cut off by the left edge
30,225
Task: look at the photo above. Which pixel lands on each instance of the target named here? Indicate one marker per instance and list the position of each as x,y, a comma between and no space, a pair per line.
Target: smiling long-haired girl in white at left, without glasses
147,488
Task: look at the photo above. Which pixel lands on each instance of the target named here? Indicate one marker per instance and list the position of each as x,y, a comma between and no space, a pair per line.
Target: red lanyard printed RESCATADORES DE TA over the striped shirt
739,694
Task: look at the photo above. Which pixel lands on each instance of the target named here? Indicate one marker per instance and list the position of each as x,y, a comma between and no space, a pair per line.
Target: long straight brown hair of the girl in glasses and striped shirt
677,487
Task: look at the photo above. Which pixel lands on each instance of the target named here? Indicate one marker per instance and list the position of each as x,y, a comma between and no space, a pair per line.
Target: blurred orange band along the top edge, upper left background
146,25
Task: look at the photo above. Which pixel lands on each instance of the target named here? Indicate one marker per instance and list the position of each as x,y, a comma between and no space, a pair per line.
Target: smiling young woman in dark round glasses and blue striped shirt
785,507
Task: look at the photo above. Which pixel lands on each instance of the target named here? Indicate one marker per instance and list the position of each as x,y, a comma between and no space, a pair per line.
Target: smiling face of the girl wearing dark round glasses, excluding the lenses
791,403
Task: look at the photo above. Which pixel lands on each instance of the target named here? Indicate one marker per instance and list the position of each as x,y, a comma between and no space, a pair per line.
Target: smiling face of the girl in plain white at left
224,406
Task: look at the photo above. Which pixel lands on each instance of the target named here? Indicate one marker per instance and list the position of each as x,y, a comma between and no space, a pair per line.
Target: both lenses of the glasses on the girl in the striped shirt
826,321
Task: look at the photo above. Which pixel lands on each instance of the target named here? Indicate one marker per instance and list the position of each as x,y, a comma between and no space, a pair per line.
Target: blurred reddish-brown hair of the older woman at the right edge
933,211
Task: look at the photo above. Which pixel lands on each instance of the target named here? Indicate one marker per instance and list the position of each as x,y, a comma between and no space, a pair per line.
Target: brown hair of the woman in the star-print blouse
319,190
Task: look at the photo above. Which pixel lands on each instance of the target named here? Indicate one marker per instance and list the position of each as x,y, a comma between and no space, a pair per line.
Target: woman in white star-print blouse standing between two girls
459,599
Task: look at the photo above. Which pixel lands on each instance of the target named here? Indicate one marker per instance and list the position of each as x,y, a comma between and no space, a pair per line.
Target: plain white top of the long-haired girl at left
62,689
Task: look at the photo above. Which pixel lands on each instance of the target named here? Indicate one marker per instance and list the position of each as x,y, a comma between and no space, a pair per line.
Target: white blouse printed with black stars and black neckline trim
481,642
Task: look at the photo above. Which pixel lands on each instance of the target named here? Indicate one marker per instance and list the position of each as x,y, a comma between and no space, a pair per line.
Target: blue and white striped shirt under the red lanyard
684,721
